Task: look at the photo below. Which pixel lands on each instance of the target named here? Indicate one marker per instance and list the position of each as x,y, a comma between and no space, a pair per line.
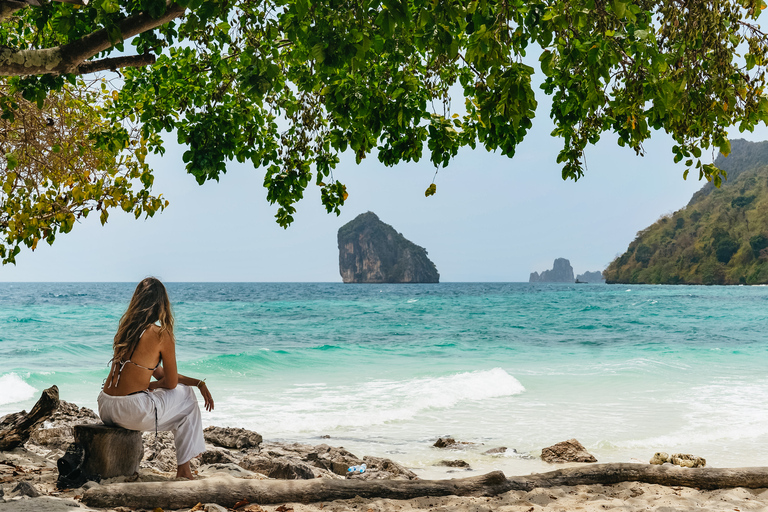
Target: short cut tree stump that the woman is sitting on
100,452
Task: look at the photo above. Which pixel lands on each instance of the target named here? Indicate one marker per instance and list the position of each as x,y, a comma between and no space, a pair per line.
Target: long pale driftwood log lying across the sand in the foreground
227,490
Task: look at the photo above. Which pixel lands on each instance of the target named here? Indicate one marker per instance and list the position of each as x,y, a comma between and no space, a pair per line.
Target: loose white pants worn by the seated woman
177,411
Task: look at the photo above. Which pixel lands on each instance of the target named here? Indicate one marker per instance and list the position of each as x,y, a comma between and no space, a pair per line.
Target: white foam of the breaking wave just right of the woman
311,408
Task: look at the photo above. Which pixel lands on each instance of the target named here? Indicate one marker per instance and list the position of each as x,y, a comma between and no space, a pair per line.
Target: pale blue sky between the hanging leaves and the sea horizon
492,218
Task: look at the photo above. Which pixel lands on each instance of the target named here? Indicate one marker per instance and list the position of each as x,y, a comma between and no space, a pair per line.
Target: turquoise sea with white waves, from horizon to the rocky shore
386,369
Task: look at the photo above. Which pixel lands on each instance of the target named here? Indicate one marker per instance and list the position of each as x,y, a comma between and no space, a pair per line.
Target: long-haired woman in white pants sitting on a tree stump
145,347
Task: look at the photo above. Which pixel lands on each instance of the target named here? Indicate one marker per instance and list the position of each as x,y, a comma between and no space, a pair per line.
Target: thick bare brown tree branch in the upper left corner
70,57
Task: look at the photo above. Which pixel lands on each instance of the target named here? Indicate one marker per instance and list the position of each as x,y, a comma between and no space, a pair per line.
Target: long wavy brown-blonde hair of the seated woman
149,304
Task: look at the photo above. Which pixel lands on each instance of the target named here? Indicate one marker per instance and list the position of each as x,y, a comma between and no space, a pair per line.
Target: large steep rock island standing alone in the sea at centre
371,251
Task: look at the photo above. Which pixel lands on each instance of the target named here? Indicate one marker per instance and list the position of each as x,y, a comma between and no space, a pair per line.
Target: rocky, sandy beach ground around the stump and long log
35,463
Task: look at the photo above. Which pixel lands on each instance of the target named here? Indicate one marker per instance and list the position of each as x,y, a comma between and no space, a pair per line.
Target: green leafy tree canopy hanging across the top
289,85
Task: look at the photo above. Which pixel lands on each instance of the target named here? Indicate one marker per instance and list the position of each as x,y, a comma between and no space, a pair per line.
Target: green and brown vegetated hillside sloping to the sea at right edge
721,237
